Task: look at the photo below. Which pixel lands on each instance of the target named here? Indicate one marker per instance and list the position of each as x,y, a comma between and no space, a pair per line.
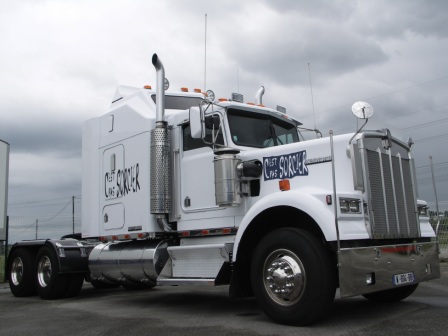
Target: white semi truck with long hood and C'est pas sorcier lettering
180,189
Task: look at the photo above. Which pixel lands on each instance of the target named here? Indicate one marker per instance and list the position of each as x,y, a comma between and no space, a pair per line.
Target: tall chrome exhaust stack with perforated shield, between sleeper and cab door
160,172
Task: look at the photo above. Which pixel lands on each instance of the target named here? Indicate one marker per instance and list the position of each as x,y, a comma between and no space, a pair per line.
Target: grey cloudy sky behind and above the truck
61,61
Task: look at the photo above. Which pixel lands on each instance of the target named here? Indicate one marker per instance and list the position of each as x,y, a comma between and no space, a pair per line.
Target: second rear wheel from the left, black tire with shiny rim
50,284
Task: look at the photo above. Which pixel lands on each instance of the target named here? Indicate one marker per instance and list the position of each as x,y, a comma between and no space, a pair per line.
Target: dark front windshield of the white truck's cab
253,129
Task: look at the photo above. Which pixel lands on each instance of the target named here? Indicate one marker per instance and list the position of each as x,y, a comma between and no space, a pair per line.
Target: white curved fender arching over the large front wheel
311,202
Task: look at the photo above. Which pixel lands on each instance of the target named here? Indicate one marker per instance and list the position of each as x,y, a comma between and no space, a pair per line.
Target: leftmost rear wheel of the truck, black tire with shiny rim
21,273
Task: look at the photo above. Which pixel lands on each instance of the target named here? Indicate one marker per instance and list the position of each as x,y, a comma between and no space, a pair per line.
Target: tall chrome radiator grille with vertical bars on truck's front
392,208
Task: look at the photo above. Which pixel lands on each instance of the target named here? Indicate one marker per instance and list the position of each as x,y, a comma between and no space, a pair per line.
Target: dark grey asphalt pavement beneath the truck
209,311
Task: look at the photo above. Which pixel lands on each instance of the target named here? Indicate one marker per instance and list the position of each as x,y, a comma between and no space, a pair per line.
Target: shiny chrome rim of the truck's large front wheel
284,277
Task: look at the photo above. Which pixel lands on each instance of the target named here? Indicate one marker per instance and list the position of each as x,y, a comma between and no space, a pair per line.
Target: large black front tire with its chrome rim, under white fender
293,277
